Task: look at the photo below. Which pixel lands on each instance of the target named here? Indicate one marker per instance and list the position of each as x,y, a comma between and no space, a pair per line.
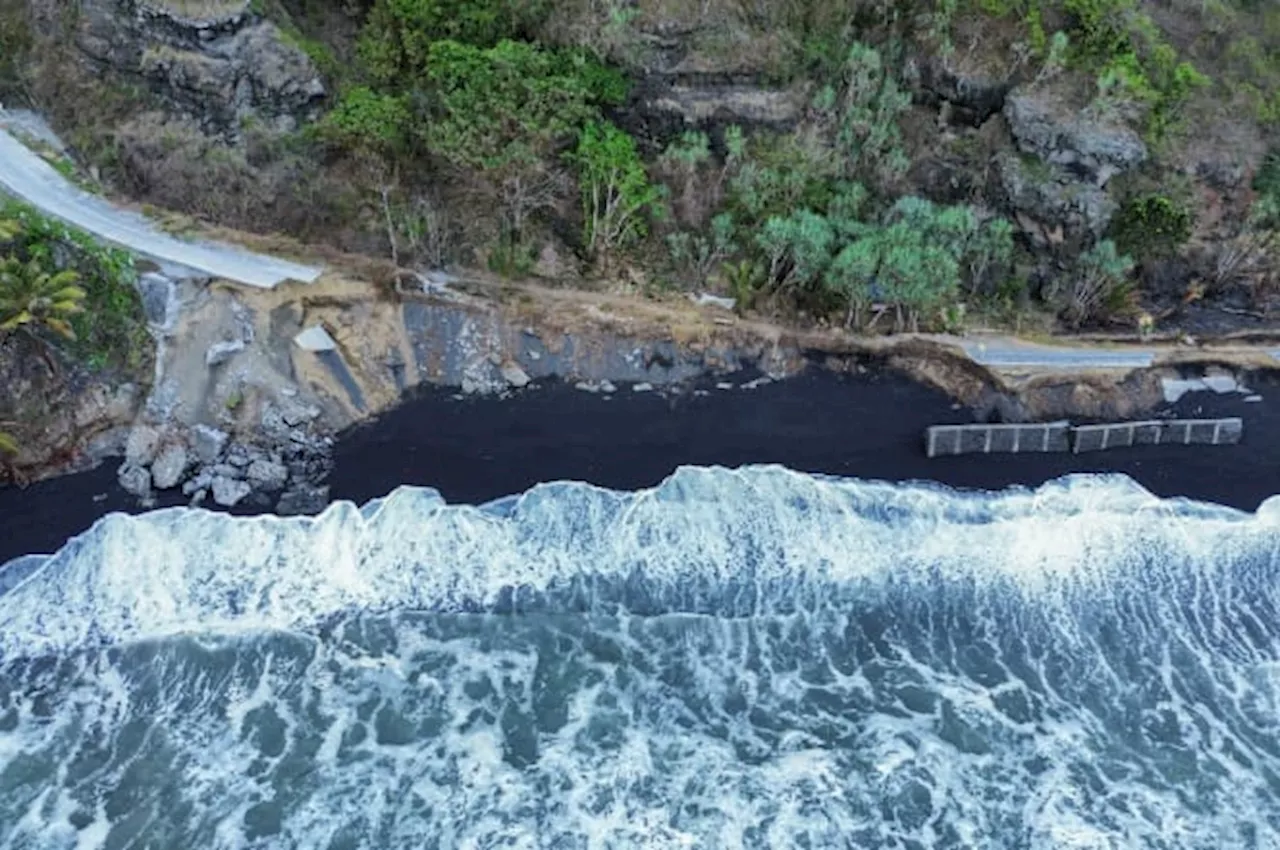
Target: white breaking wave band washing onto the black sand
707,541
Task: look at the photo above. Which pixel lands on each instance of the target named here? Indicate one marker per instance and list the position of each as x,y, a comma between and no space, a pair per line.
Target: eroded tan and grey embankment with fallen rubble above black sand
241,412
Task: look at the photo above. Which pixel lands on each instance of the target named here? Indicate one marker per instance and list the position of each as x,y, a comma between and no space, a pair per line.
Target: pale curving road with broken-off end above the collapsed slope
29,177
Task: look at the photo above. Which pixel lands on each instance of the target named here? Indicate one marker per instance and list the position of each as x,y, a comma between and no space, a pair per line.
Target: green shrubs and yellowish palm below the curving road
57,278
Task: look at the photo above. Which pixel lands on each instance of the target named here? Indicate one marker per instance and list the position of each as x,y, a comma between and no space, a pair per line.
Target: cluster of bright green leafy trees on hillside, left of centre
447,83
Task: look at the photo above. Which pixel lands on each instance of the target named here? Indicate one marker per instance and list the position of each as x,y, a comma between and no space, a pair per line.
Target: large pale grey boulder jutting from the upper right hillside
1092,148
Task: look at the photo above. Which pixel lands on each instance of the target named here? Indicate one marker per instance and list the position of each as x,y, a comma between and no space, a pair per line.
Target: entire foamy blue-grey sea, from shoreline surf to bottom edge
737,659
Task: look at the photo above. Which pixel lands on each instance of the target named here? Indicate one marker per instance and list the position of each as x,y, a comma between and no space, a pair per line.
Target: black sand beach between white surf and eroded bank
479,449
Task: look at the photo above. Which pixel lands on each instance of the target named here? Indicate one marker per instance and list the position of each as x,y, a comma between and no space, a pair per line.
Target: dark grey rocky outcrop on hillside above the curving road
221,71
